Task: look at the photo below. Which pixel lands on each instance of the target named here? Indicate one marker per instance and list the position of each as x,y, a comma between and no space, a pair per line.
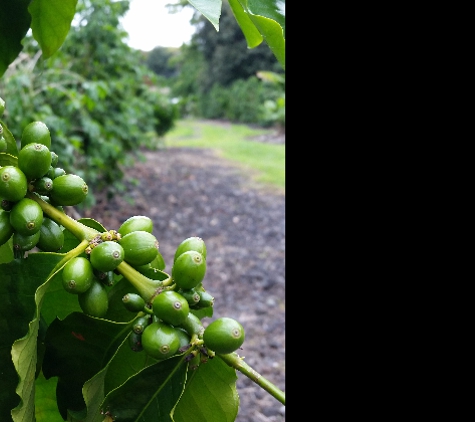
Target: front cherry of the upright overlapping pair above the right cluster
189,270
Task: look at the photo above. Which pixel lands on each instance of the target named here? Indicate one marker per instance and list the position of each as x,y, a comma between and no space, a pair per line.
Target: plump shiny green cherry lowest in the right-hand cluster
160,340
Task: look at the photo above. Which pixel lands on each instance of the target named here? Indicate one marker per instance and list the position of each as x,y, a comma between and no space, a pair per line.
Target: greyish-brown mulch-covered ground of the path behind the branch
193,192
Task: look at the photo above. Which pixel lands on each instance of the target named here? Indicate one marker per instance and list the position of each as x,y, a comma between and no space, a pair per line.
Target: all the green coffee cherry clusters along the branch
167,322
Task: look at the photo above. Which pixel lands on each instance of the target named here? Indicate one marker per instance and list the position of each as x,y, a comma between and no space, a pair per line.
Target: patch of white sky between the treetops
149,25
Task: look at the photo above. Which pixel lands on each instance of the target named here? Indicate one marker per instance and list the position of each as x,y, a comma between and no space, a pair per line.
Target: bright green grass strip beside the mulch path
264,162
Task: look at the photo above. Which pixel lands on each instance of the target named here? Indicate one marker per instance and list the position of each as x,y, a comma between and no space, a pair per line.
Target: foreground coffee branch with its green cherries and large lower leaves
93,307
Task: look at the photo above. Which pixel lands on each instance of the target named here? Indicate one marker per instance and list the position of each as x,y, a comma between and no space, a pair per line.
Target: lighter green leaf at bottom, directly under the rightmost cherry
210,395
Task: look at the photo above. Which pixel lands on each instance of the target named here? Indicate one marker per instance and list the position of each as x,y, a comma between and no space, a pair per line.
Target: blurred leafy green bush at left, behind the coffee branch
99,105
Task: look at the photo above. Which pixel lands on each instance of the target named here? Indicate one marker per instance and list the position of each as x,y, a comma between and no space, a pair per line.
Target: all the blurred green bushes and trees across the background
104,101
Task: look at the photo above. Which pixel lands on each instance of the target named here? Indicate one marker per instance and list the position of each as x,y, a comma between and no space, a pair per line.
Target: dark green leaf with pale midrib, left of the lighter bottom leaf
149,395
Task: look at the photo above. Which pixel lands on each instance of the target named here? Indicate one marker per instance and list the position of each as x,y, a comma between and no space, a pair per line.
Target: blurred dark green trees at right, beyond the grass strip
217,76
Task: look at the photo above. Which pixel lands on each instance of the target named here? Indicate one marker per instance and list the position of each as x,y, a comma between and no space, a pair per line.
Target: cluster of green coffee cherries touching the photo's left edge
35,171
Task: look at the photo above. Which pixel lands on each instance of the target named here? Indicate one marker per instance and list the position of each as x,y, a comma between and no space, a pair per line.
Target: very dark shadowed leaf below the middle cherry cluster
77,348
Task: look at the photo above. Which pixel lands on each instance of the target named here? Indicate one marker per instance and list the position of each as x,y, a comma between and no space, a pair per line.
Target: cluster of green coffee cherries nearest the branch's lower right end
169,325
